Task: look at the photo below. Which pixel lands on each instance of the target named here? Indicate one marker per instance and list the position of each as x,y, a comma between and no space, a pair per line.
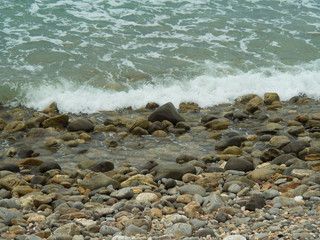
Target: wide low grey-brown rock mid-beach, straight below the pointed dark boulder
172,170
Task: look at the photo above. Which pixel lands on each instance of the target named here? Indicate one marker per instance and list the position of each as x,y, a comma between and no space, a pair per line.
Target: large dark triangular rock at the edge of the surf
166,112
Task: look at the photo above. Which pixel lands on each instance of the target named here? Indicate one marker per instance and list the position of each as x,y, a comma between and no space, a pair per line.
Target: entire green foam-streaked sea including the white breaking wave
93,55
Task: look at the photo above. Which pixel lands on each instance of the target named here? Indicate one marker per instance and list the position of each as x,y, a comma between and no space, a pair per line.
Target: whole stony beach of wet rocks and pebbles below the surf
246,170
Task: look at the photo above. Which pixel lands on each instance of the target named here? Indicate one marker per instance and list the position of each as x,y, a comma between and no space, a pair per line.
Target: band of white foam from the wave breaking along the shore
206,90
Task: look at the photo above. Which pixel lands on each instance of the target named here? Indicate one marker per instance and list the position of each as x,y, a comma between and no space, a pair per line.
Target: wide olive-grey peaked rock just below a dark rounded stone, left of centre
97,181
